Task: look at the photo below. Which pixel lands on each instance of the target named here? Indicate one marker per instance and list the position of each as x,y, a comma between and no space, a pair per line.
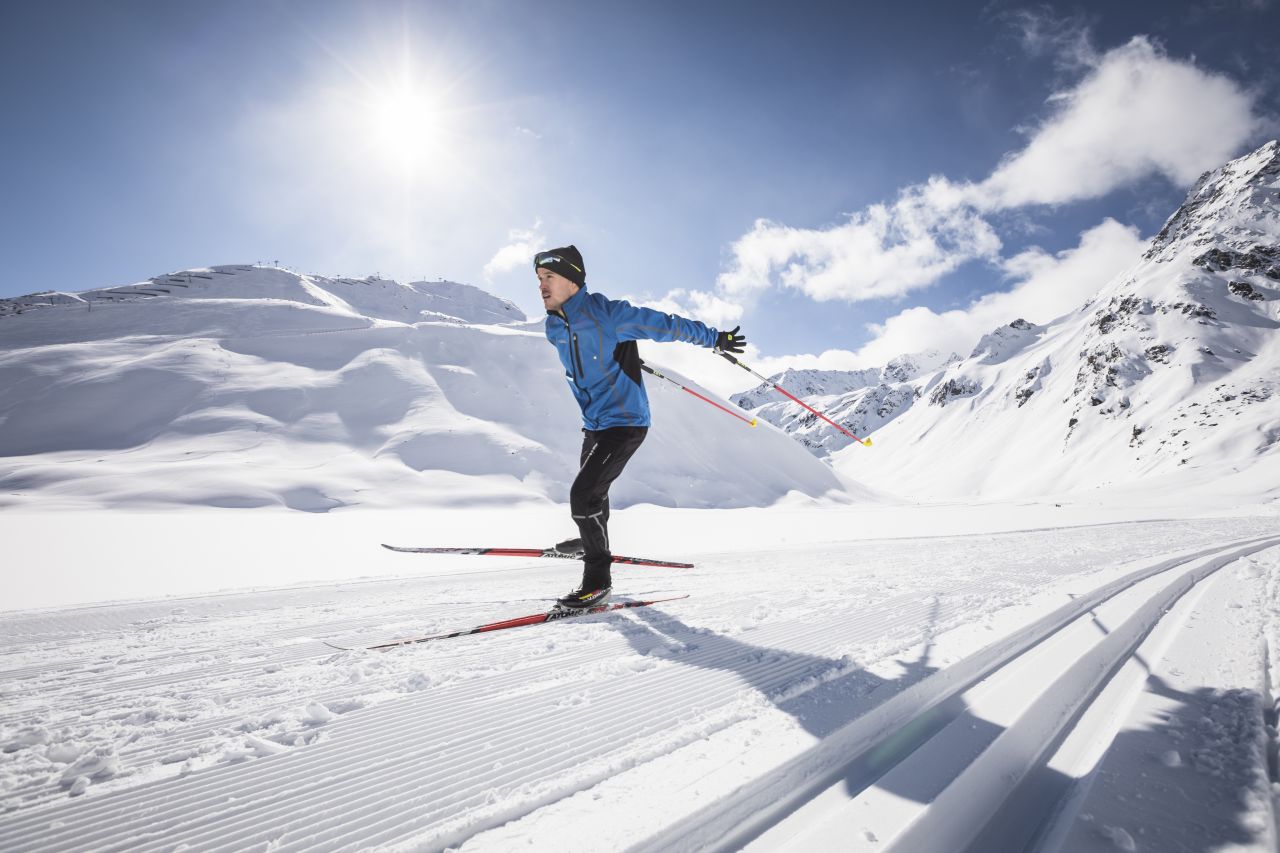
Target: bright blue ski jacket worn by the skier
597,344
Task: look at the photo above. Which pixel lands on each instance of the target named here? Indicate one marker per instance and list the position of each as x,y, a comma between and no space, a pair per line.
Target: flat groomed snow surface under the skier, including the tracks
1099,687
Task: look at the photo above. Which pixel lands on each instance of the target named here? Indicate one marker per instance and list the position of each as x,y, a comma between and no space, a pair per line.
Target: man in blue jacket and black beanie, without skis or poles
596,339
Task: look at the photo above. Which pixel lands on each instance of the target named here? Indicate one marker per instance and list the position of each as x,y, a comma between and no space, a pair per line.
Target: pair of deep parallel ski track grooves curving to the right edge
765,802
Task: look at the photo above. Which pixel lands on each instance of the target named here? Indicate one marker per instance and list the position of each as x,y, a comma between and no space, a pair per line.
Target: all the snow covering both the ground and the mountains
1041,613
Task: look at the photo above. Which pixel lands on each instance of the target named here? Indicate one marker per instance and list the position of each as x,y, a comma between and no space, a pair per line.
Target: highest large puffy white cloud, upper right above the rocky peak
1136,115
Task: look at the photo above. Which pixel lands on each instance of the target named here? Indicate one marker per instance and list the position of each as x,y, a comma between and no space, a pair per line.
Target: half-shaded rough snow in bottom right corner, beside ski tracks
1186,724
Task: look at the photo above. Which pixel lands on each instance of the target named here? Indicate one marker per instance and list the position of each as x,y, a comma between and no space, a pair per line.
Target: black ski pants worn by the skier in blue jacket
605,454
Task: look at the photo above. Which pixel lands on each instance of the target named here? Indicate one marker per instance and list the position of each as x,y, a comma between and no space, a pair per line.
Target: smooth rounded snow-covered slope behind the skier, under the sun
241,386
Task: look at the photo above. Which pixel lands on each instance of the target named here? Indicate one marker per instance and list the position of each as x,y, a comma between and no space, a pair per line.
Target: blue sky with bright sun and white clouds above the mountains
847,181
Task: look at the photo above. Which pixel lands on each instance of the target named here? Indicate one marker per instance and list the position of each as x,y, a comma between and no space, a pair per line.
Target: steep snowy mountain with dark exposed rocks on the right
1173,371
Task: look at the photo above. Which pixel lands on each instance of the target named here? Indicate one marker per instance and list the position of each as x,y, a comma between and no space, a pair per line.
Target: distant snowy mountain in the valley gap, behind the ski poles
862,400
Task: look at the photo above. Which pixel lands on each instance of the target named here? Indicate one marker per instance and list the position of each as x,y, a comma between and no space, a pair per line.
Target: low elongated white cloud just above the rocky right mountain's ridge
1045,288
